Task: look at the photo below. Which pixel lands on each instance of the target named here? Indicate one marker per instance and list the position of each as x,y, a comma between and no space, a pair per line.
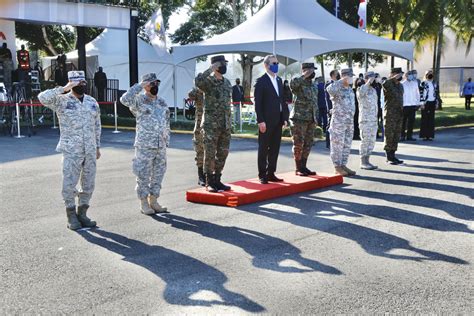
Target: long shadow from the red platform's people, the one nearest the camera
374,242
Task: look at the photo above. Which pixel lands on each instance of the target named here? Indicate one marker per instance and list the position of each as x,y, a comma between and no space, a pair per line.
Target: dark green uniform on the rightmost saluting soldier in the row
393,113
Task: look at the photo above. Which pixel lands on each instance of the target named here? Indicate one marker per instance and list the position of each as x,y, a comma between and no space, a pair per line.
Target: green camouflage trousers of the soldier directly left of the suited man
216,149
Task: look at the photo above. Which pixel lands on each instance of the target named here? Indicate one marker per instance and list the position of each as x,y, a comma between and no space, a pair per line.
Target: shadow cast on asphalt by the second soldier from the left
268,252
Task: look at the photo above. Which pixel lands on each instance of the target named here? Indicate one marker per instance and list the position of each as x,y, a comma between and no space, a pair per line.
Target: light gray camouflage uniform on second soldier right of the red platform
368,110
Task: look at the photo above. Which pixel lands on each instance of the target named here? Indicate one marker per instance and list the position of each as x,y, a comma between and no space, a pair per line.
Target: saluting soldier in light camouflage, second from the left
151,140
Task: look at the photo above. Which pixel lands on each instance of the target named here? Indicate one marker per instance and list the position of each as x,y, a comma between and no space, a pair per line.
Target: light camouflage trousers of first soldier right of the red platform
342,133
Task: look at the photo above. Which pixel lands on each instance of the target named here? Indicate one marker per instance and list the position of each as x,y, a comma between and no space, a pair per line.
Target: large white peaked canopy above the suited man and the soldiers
304,29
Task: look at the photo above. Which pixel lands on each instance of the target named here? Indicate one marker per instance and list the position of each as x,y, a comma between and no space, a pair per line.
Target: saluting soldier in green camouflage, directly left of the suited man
217,122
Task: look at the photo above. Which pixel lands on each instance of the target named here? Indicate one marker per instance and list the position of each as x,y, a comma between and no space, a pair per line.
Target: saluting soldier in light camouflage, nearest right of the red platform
342,121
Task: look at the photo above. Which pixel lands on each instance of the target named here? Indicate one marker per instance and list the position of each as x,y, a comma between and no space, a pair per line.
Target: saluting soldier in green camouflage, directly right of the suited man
304,117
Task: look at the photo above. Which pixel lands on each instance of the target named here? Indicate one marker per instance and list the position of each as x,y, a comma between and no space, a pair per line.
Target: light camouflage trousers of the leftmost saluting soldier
77,168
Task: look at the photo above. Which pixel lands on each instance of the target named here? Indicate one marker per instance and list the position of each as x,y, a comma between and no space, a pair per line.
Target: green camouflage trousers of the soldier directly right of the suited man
303,138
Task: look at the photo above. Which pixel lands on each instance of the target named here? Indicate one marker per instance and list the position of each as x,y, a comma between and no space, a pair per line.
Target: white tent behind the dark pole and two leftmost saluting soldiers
111,49
